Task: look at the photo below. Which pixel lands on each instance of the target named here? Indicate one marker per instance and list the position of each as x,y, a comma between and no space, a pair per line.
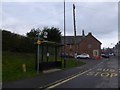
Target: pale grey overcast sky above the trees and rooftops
100,18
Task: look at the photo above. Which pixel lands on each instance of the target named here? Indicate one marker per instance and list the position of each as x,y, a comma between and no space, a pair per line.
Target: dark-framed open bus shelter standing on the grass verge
49,55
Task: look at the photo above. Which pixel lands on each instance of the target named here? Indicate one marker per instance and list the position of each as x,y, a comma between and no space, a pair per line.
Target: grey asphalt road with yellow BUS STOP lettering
104,75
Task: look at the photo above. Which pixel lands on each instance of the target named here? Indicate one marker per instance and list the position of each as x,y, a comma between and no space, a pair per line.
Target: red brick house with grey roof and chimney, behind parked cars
84,44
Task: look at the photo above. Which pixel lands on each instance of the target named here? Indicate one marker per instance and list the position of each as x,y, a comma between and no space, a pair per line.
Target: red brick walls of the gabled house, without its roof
87,45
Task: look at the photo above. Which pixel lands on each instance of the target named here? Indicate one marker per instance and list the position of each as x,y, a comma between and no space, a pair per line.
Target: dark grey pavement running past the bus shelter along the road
47,79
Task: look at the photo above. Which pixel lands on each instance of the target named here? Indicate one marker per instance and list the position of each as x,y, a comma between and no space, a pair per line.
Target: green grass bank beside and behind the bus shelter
12,65
